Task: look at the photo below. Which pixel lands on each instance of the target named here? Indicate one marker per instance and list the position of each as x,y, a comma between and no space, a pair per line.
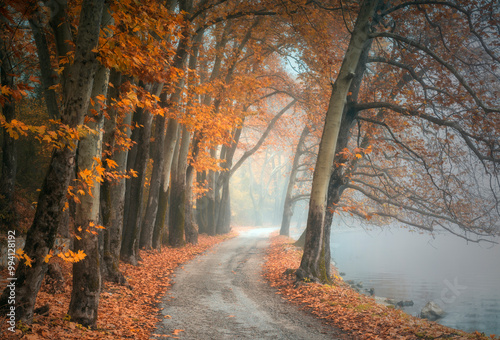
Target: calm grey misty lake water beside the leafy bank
464,279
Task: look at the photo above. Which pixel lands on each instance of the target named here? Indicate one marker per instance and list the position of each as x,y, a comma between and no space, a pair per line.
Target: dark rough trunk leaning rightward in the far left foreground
42,233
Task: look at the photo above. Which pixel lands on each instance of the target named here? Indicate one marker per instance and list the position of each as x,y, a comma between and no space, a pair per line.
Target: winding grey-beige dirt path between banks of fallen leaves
222,295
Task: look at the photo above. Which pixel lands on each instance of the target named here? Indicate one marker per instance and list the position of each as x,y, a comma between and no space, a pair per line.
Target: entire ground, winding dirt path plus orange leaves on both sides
236,290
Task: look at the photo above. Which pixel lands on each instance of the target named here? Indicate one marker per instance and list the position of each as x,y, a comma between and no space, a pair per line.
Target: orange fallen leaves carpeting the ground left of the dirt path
124,312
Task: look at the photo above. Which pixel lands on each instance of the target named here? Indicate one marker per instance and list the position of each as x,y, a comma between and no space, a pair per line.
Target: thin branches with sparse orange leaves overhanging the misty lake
431,132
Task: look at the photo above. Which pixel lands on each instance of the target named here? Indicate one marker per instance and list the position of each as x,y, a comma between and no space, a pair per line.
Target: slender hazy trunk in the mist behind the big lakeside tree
289,203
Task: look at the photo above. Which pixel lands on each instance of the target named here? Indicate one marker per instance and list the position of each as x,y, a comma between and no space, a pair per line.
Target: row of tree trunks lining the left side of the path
117,205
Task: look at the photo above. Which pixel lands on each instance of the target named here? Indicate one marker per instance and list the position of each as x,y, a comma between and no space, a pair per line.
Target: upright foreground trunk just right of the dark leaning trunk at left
86,273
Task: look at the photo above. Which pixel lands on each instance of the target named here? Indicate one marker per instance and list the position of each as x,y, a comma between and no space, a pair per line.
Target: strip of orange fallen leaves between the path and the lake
359,316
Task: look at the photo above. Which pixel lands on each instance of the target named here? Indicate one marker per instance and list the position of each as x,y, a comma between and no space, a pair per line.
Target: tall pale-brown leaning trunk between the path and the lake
310,266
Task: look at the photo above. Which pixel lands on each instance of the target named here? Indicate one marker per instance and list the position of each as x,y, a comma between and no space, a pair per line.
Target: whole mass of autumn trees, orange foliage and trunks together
150,107
